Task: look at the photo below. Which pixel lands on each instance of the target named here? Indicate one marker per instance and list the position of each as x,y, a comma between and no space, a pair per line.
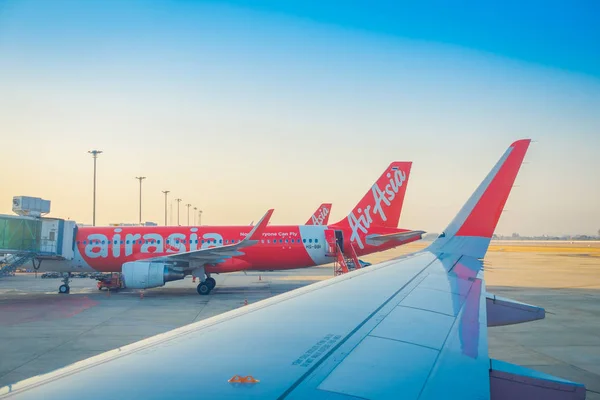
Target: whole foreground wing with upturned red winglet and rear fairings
417,331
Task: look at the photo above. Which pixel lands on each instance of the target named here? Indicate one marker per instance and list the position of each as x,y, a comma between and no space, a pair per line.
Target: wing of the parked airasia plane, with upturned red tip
219,254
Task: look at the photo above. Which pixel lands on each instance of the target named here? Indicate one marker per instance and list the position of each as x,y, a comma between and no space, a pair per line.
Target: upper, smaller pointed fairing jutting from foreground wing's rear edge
503,311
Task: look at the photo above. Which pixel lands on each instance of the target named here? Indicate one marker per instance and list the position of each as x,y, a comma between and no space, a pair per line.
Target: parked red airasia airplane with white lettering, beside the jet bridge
151,256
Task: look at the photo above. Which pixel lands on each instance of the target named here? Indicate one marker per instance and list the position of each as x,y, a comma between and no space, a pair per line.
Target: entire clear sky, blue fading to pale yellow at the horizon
240,106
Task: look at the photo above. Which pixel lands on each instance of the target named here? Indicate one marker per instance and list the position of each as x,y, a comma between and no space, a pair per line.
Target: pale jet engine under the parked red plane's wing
144,274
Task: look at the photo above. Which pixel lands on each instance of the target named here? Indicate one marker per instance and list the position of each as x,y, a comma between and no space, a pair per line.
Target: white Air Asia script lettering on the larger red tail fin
382,199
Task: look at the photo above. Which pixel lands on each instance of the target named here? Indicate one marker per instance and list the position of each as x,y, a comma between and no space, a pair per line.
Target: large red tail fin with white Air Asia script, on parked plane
382,204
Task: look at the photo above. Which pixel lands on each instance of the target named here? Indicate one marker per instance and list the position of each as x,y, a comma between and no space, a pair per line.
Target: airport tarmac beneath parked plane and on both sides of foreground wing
41,330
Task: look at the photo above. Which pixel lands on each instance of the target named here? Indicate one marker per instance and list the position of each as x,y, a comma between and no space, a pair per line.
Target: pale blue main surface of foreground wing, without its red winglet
298,348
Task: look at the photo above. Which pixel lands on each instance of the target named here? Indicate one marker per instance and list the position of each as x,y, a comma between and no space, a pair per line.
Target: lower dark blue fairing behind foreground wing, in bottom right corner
510,381
